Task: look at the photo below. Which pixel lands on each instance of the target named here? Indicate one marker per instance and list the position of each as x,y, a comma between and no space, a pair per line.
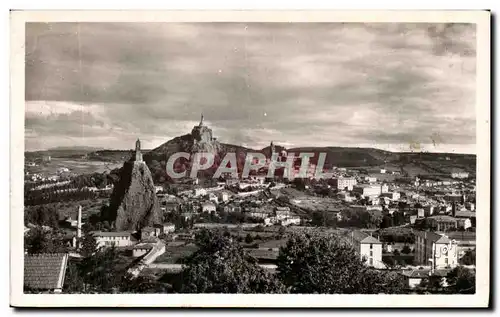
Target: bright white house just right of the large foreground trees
369,248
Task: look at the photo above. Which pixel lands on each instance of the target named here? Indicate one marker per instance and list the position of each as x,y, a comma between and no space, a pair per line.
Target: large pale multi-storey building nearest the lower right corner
436,250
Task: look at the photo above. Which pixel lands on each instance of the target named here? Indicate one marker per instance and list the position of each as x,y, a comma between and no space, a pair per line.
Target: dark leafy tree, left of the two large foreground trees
220,265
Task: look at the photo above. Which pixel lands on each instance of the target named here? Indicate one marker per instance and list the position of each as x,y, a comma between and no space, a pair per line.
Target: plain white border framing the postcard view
17,82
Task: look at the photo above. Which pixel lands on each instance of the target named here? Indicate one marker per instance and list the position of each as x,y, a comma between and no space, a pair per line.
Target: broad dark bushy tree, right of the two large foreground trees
325,264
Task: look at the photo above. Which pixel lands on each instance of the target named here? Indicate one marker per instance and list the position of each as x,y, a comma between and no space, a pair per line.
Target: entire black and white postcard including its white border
187,156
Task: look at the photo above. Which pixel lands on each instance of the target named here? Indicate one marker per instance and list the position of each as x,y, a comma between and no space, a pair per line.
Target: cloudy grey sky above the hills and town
394,86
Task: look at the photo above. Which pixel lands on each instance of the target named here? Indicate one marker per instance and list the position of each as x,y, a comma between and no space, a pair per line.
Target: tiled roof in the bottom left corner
45,271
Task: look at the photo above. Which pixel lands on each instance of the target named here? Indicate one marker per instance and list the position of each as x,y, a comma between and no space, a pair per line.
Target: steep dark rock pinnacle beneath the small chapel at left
133,204
